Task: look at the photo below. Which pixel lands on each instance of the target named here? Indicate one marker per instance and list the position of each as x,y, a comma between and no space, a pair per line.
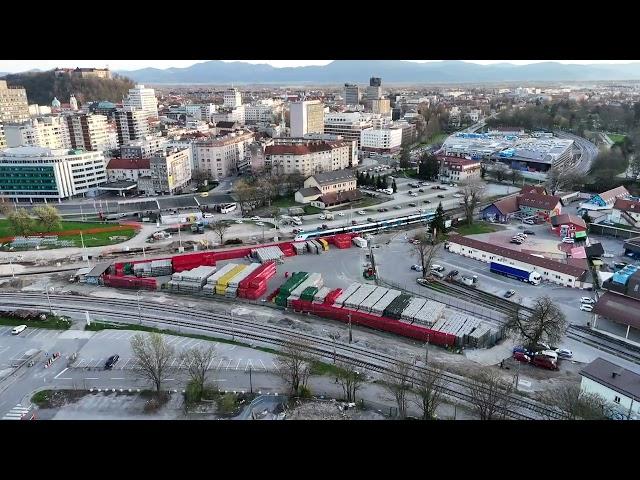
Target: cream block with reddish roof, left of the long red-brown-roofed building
223,156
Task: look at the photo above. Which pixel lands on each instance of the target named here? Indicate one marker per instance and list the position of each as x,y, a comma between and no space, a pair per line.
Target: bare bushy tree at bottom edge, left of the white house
576,404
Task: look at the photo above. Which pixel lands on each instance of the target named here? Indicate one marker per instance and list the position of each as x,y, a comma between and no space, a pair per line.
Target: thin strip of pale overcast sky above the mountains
23,65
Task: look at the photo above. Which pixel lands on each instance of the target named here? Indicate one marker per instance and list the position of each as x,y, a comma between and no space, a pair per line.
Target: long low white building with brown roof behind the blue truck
550,270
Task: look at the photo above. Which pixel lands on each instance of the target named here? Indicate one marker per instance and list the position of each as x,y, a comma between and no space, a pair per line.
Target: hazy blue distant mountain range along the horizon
391,71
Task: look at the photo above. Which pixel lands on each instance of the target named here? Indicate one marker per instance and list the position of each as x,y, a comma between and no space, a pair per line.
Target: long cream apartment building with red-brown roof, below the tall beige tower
310,157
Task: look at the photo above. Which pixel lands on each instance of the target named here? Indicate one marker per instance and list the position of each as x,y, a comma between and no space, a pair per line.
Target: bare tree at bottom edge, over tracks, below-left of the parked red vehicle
489,394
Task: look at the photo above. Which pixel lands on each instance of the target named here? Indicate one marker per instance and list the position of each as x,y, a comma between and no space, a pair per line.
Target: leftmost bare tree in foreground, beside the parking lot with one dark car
152,355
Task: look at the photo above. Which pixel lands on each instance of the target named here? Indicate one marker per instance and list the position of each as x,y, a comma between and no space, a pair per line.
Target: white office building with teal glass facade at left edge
36,173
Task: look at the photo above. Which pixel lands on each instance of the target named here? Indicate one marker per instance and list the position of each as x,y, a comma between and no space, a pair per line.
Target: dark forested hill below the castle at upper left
42,87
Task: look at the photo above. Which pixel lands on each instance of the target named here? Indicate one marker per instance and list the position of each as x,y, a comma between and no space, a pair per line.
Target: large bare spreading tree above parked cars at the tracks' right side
547,323
